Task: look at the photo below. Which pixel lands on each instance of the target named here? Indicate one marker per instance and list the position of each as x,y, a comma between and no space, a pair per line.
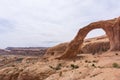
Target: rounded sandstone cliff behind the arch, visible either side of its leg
94,45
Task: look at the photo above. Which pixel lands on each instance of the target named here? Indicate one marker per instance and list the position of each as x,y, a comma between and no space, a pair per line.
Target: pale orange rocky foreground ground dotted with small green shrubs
105,66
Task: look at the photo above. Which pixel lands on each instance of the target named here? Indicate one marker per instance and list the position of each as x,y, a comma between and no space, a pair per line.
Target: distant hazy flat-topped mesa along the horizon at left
26,51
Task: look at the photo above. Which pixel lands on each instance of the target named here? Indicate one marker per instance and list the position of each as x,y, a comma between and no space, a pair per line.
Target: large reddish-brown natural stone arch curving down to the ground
112,29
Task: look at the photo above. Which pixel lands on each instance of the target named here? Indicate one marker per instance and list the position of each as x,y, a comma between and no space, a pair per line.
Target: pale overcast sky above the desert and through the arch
34,23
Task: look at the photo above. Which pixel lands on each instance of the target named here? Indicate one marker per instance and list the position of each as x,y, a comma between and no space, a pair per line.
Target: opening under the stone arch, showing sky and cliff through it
95,42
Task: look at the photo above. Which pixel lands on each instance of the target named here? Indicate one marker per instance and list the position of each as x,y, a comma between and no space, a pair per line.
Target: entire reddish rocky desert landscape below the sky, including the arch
95,58
